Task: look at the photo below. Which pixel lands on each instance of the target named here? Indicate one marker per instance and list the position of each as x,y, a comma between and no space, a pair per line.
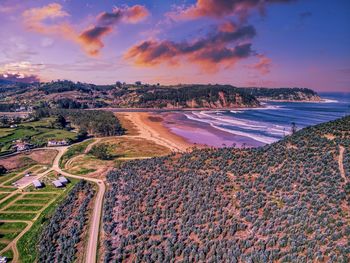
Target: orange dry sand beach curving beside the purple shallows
150,127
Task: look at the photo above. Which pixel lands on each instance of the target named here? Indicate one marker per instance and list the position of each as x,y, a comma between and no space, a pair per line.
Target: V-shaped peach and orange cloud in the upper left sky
90,39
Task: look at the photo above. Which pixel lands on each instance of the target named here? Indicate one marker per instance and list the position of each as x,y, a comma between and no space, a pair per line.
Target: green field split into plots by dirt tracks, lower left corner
34,205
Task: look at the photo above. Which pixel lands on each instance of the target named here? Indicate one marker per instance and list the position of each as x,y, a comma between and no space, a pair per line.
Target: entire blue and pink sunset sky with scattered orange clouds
270,43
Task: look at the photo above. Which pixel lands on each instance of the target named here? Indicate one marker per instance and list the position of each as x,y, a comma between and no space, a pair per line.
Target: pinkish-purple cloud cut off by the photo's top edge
222,8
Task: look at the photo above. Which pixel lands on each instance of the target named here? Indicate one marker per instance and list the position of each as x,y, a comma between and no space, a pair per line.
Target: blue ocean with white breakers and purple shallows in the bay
258,126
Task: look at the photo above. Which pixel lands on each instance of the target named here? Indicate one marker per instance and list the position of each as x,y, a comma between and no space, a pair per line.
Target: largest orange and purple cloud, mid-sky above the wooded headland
228,45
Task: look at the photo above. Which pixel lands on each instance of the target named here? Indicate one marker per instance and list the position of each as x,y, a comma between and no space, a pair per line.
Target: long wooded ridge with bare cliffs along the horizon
67,94
